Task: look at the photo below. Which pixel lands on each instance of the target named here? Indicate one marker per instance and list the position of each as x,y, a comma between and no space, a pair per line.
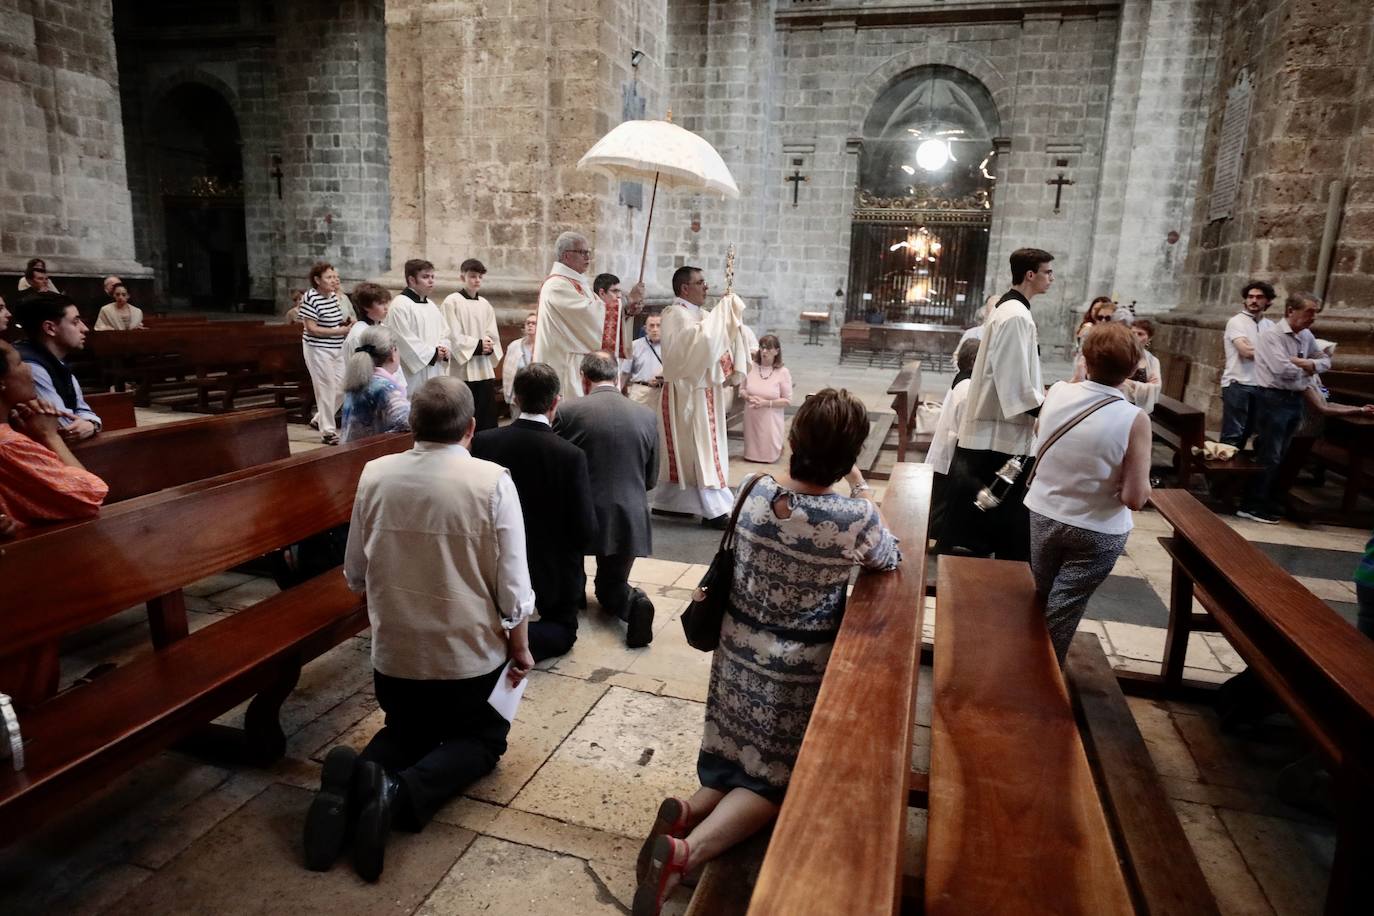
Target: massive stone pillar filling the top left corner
64,190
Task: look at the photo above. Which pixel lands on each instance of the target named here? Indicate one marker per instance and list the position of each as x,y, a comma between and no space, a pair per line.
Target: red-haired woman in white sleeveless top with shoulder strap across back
1089,483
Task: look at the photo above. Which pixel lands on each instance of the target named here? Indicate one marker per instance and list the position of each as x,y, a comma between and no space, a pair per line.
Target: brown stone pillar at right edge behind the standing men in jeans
1311,122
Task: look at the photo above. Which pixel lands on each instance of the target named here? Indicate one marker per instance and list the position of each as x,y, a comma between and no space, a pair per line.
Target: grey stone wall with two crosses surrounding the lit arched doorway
813,73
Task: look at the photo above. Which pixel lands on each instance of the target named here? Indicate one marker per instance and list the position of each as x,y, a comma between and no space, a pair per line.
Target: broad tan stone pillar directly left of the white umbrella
488,119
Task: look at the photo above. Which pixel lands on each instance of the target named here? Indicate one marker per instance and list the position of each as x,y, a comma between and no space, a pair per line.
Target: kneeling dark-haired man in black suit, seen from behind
556,498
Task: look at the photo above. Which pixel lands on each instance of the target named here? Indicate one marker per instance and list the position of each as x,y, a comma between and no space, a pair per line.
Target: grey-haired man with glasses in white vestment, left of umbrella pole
574,321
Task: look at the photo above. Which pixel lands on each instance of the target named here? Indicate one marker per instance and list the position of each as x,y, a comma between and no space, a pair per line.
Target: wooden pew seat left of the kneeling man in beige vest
75,741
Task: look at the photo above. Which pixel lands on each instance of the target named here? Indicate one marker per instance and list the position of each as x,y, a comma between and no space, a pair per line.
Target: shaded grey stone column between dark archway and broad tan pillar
332,78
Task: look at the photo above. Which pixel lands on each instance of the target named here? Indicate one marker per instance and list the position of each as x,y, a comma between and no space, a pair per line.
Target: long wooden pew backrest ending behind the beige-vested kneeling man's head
156,545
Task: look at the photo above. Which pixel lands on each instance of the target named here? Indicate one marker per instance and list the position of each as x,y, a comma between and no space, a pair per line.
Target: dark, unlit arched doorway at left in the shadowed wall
197,150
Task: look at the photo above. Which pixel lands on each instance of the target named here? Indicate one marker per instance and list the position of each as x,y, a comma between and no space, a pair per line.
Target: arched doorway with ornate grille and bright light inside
924,204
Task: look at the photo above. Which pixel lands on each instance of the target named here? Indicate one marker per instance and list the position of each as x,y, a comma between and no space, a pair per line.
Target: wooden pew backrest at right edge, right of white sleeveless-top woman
1316,661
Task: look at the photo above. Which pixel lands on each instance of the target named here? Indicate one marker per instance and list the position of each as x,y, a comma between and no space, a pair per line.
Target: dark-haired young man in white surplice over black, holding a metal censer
1005,396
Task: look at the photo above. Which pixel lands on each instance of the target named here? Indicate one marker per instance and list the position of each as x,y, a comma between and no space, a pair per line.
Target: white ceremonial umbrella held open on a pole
664,153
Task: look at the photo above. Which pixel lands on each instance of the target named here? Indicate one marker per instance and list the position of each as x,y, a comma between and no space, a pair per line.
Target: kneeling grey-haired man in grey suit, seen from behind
622,444
